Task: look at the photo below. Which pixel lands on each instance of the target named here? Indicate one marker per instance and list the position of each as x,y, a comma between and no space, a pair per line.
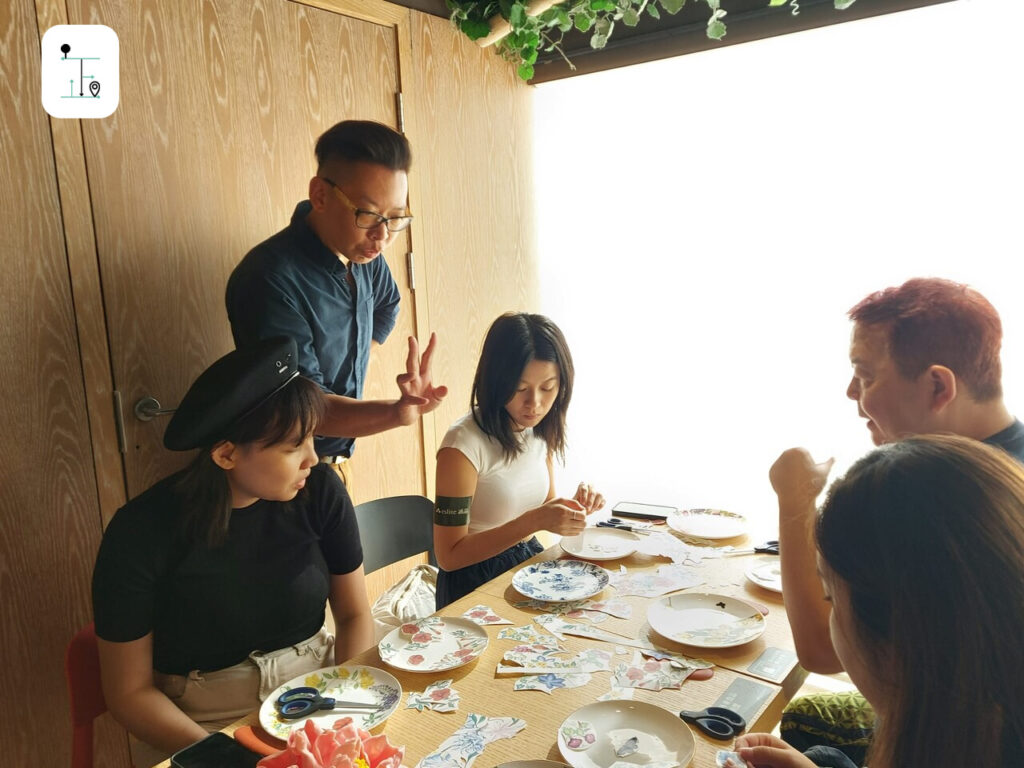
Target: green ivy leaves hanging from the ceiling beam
544,32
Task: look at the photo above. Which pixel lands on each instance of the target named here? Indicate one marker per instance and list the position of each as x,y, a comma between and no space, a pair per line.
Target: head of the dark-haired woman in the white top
524,380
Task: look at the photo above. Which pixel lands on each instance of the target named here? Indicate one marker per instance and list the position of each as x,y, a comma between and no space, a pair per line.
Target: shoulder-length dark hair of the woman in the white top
514,340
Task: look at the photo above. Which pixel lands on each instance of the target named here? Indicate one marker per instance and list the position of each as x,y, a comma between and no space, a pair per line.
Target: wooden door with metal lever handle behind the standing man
211,148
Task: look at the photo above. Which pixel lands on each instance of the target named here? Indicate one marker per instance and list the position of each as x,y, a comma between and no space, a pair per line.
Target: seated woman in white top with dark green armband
496,484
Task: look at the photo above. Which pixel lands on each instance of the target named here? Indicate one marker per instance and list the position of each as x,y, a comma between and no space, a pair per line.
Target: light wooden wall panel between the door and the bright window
476,161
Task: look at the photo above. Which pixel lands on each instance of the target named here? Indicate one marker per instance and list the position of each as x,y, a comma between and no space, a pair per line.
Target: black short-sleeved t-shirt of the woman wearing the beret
265,588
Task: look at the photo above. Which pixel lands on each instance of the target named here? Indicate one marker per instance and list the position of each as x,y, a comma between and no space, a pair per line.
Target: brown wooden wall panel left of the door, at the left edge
50,518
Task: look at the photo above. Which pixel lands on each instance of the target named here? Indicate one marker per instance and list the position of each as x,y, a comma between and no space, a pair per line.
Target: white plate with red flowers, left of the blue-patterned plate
450,643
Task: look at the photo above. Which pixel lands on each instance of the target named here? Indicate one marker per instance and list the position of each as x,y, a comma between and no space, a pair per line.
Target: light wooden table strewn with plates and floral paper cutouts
483,692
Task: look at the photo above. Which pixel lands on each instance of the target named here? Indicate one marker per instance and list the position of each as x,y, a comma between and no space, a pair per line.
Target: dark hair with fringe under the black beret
204,487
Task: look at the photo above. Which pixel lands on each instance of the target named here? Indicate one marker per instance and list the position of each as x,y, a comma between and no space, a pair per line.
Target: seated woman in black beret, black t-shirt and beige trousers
210,588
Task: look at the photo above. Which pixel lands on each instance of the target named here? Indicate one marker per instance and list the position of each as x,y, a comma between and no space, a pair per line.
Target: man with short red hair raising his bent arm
926,361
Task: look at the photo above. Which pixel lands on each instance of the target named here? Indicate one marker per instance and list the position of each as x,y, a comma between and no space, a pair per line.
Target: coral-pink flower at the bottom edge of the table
343,746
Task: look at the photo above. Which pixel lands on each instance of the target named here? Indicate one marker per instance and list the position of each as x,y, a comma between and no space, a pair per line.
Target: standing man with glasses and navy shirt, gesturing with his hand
321,281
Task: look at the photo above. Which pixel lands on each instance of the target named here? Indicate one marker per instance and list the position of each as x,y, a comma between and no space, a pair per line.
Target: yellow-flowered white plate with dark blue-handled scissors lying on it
352,684
